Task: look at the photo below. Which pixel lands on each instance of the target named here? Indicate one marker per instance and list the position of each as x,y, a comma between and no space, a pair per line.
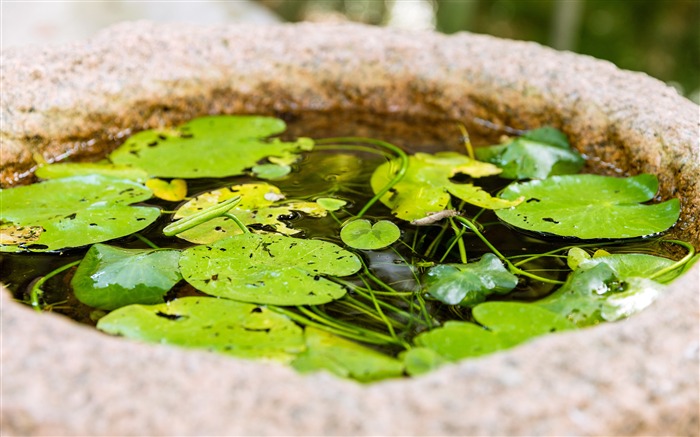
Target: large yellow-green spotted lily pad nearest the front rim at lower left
219,325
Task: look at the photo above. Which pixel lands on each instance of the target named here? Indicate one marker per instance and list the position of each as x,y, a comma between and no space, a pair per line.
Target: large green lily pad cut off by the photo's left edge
71,212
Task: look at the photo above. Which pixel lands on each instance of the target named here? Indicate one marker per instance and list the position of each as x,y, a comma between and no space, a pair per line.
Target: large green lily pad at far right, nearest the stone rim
589,207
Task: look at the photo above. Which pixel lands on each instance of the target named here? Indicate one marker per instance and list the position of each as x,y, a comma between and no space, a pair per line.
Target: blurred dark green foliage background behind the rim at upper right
659,37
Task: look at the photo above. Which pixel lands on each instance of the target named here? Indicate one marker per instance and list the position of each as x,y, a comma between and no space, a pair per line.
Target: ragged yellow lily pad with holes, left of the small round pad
262,205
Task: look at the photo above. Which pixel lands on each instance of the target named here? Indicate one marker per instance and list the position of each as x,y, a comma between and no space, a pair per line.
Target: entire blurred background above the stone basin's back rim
659,37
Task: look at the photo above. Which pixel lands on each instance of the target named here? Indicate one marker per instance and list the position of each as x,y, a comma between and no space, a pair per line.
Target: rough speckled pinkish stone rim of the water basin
637,377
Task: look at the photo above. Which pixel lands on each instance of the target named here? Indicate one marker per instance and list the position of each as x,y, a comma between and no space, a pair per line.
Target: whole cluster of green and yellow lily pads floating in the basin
266,294
